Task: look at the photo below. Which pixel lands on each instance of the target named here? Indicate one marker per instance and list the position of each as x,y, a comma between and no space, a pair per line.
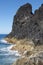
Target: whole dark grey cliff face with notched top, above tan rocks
28,25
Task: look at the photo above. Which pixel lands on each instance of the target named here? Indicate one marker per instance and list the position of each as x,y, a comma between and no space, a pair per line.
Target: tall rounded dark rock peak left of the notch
21,21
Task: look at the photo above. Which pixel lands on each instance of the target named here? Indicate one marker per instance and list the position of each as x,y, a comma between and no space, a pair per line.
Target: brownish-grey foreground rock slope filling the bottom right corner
34,59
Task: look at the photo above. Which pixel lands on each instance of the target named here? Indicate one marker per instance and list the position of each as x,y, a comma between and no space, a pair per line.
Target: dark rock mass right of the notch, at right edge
38,29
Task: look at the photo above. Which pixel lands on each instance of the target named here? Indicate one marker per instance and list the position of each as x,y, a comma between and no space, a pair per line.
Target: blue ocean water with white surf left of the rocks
7,56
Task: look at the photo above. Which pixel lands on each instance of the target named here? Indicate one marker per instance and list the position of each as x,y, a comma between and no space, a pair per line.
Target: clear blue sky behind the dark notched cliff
8,9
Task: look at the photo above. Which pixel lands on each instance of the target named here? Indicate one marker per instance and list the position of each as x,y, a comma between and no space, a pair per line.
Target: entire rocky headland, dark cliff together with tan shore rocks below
27,34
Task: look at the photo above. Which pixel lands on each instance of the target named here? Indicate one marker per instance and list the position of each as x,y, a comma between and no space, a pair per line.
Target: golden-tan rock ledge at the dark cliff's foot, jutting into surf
21,45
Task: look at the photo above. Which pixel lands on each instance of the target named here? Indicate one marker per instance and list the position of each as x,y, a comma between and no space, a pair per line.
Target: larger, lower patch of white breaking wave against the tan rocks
8,51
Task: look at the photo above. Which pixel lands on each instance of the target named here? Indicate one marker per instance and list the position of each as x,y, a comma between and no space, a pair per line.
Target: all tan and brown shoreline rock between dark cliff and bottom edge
30,54
